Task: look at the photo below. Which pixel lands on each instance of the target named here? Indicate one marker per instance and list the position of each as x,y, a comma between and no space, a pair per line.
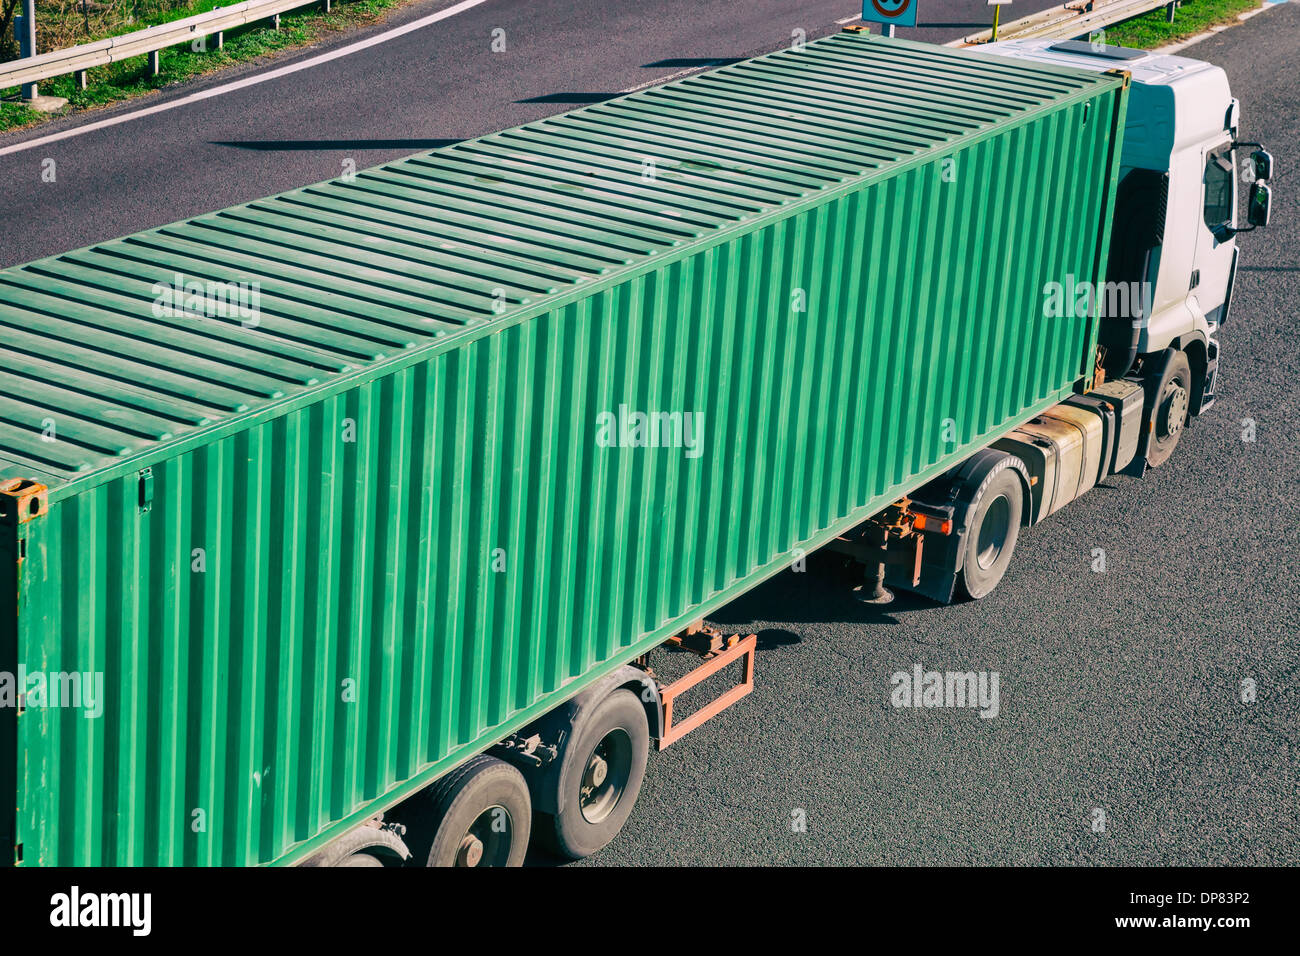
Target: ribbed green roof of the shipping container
413,256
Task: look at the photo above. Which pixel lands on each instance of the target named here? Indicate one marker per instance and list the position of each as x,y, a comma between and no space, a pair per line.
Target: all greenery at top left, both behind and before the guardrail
132,77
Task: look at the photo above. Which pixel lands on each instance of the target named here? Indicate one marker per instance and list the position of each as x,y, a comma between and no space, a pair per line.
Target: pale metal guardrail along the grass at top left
60,63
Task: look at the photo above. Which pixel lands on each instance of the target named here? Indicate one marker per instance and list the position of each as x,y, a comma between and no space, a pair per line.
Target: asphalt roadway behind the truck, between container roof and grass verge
406,96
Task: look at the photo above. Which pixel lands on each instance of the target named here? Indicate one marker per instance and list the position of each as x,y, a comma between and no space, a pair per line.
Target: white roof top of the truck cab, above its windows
1175,101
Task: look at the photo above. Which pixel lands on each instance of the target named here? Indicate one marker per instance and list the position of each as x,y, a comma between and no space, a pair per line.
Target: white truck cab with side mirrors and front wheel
1175,230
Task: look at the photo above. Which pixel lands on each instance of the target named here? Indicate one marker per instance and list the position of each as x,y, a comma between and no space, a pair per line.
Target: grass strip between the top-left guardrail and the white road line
129,79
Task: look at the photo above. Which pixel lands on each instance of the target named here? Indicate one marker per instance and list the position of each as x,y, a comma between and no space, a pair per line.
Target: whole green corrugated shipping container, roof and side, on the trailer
499,418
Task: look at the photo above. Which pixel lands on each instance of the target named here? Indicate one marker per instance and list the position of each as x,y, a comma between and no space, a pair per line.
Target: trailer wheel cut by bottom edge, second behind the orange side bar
480,815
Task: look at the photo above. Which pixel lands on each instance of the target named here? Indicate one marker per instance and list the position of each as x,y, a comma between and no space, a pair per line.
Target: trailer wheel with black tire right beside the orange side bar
595,804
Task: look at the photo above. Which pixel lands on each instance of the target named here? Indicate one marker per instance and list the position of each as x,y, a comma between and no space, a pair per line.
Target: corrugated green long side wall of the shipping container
323,612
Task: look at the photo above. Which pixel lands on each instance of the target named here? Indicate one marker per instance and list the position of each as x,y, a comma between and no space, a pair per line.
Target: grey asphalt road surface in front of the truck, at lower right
1120,691
